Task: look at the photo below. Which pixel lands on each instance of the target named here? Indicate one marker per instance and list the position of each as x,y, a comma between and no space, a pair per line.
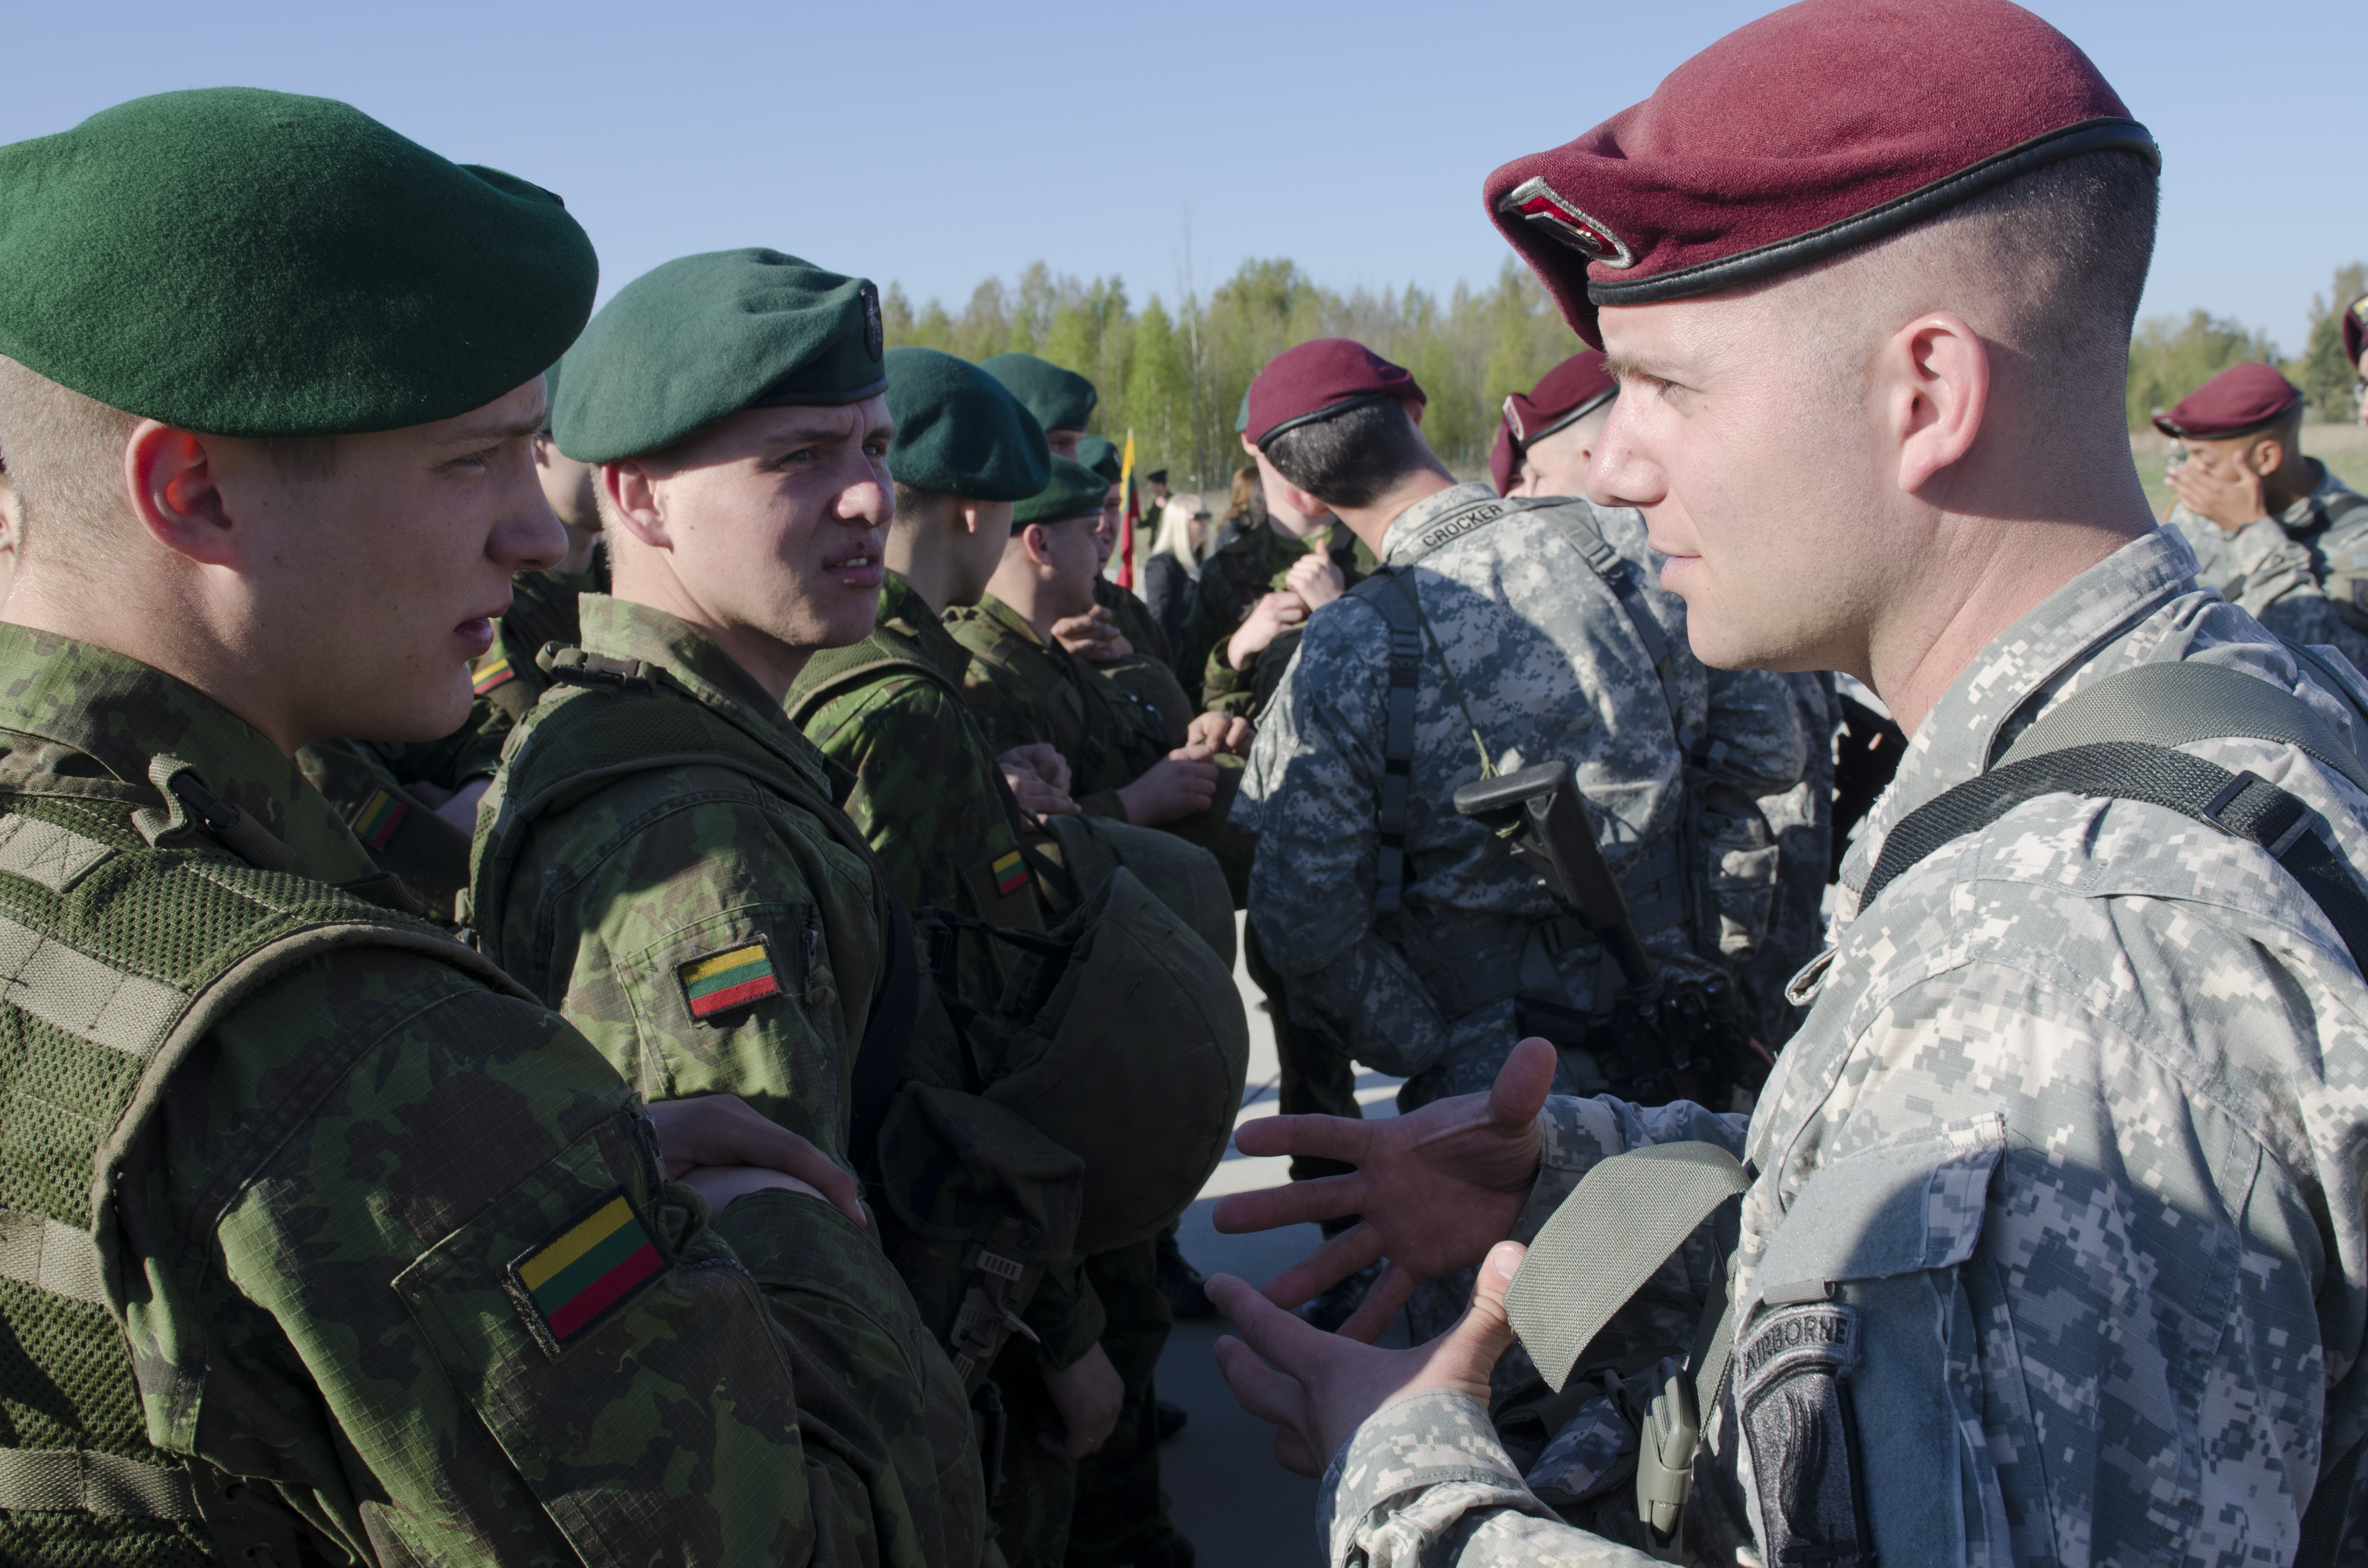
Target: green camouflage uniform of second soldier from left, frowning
709,937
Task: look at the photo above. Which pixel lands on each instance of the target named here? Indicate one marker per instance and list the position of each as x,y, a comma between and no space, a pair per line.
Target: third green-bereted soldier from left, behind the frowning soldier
932,799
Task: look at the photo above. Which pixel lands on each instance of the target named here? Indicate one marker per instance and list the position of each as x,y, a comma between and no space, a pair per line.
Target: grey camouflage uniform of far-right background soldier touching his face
2303,574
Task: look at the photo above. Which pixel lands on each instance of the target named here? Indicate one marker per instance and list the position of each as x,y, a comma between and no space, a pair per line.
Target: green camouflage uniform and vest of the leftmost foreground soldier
302,1316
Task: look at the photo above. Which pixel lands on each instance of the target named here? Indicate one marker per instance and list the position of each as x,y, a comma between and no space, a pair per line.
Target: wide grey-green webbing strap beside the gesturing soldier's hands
1628,1216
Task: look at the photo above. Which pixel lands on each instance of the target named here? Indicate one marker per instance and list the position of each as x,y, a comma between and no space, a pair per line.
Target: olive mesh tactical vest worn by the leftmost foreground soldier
129,934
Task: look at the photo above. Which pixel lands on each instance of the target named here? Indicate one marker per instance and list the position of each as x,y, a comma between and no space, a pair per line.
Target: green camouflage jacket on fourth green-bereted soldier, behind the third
1029,690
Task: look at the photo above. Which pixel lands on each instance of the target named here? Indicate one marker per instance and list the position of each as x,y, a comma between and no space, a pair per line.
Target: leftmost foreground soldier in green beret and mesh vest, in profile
328,1240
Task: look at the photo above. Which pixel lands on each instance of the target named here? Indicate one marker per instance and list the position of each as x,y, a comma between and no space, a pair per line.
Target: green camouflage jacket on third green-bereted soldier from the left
929,795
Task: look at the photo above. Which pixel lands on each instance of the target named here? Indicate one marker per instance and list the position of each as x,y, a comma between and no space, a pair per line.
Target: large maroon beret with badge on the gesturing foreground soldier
1810,131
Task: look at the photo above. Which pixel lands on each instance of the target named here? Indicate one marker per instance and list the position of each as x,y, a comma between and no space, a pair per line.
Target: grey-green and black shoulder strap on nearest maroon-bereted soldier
2168,705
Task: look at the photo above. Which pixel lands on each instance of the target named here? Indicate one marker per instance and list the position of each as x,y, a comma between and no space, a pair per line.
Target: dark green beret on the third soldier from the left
960,432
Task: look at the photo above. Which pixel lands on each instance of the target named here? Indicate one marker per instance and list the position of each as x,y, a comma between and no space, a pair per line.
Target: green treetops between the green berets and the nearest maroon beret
1176,375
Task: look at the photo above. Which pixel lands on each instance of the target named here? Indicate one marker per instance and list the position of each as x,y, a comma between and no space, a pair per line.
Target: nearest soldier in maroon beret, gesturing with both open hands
2054,1228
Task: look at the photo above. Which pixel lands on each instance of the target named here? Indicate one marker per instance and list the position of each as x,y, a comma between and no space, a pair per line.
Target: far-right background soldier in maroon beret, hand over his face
2274,532
